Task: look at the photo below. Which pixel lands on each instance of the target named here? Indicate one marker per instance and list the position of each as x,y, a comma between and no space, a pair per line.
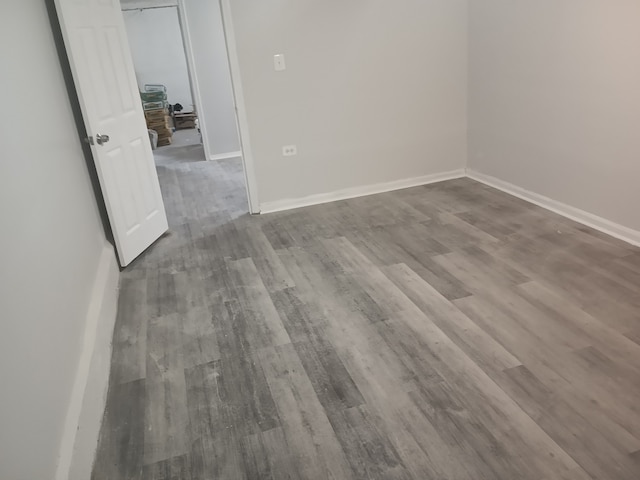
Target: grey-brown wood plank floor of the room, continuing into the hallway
440,332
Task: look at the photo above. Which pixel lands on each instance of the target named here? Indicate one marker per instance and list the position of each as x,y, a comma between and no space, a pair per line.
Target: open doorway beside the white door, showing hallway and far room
182,70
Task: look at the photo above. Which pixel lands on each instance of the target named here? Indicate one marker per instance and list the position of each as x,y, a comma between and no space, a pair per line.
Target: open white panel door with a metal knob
104,75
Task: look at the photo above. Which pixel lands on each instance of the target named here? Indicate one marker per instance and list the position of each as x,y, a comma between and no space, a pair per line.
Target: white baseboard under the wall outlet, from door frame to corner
354,192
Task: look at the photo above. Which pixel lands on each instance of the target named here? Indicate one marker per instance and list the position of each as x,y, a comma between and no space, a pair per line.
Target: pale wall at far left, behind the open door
51,243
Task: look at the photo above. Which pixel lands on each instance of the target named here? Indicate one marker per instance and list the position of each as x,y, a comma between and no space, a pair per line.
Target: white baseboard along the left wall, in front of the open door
89,394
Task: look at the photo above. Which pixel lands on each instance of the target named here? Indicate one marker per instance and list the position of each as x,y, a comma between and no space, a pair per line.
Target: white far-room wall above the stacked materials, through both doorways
158,53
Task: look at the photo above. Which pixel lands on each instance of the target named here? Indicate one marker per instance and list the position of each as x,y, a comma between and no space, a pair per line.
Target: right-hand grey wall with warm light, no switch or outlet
554,102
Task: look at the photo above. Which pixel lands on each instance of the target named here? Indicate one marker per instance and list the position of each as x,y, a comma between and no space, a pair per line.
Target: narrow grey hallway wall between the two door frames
203,21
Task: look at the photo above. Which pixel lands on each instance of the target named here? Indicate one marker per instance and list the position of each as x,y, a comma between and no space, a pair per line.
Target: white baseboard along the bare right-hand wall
606,226
